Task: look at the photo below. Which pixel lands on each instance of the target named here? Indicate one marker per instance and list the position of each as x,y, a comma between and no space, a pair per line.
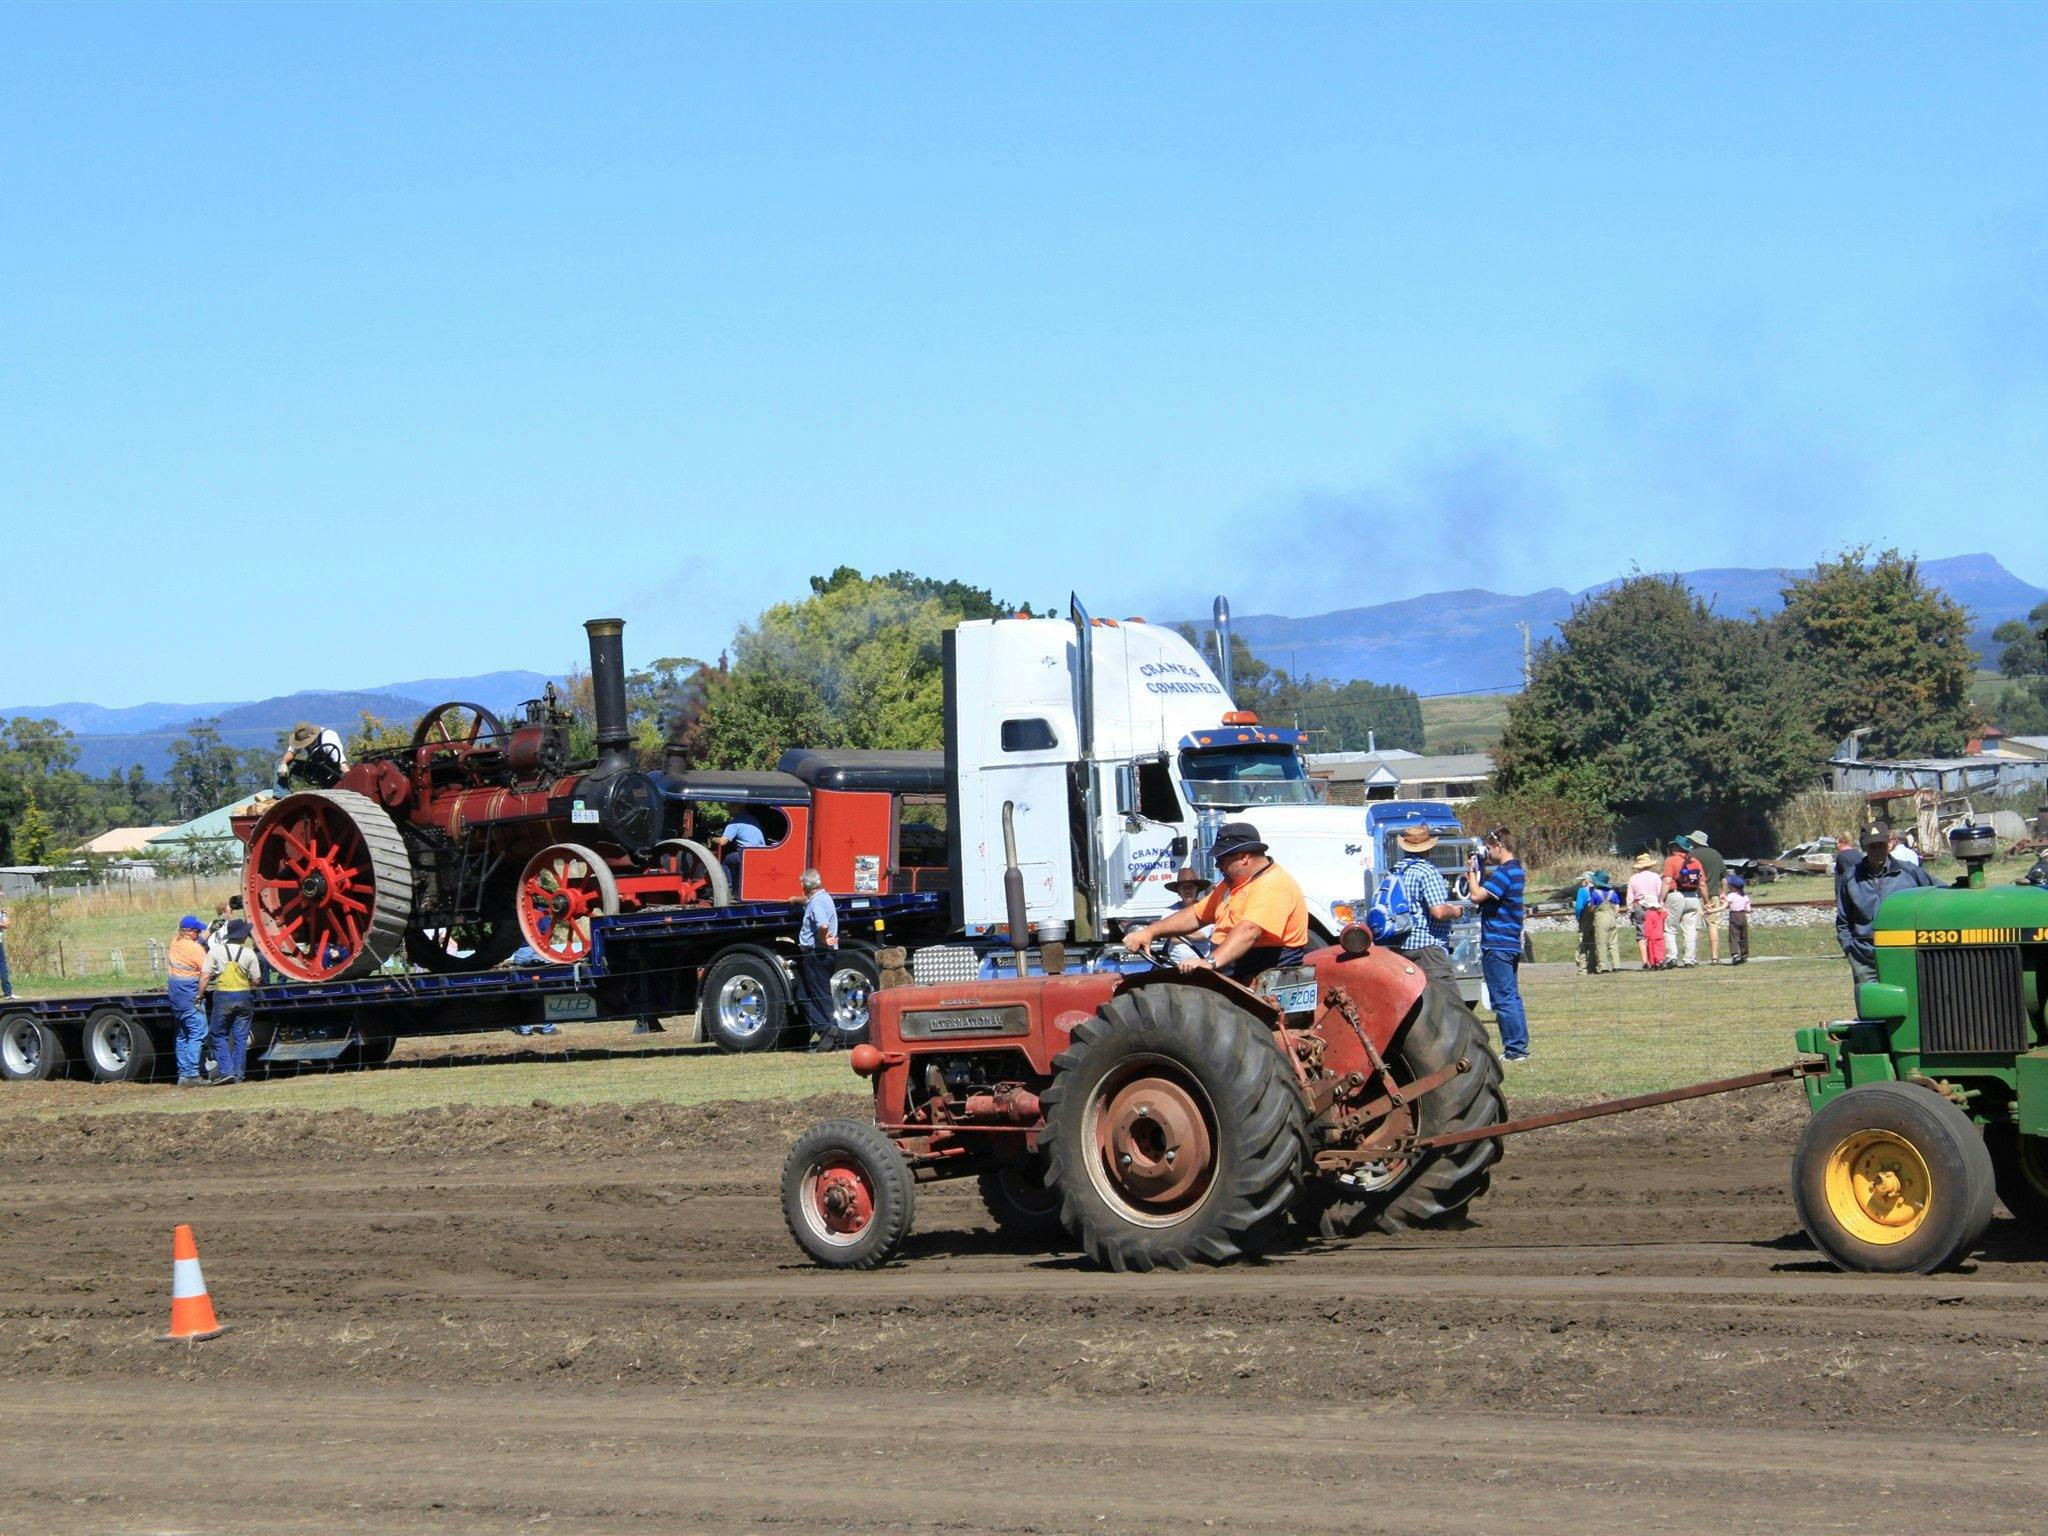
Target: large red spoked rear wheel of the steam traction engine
329,886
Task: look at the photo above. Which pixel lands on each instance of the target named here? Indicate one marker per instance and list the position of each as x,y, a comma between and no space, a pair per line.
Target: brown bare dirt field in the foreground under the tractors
589,1320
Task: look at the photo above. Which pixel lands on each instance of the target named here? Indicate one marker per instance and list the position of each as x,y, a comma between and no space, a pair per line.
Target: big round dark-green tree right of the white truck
1650,706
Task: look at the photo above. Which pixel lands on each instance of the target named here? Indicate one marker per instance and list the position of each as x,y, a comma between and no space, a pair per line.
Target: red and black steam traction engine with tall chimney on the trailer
472,841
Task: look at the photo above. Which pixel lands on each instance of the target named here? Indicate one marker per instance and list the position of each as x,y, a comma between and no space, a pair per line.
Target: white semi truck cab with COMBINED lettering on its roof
1121,755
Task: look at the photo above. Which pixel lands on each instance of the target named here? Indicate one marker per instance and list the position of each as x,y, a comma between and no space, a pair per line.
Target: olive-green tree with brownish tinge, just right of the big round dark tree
1881,652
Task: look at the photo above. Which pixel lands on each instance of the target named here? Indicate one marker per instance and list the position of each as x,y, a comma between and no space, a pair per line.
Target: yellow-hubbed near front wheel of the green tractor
1891,1179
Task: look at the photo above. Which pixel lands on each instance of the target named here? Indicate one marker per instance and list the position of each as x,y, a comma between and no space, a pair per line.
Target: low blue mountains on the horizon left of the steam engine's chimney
116,738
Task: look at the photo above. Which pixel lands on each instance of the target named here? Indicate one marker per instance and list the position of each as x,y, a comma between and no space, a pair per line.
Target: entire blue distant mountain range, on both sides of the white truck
1439,644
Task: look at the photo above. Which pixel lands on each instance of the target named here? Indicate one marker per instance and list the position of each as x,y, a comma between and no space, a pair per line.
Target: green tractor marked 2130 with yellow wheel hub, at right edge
1936,1099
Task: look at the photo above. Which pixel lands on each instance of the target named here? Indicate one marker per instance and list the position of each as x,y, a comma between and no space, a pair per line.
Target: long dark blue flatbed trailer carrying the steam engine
728,966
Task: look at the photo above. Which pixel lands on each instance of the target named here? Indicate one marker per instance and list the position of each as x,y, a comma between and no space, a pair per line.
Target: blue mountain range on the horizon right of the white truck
1471,642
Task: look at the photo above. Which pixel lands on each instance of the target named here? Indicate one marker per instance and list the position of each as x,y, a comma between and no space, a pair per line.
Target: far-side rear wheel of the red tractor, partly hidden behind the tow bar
1439,1185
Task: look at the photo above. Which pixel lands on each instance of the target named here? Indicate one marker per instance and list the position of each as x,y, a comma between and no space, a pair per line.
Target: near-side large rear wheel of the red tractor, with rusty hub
1175,1132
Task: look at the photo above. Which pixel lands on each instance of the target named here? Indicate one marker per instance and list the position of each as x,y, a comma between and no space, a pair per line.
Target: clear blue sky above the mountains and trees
374,343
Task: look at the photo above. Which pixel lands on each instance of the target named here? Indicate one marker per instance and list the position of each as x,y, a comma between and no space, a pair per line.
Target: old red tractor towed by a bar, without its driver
1160,1119
